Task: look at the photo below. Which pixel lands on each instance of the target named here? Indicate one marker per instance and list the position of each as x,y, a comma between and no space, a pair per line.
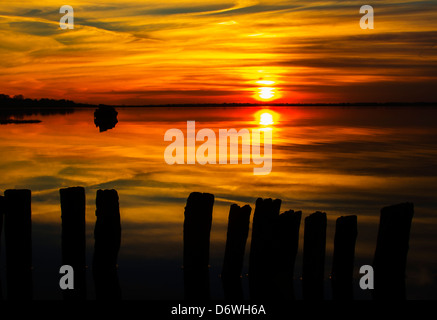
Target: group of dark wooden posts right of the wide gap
274,246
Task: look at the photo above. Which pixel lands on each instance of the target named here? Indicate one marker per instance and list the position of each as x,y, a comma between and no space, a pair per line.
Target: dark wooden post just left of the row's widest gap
107,237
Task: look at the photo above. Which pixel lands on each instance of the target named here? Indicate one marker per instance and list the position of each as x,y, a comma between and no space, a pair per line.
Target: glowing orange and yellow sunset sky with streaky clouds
198,51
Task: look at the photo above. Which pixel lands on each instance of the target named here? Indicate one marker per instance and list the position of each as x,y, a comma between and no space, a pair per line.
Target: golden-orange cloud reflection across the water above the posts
323,164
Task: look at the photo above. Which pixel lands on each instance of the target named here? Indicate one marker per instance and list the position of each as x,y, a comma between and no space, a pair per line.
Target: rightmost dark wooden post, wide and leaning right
392,246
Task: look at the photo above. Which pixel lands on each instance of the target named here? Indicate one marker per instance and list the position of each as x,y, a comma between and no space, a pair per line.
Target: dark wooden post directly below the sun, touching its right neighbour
261,266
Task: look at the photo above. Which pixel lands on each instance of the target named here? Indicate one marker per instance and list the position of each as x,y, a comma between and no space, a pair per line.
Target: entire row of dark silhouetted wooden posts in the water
273,248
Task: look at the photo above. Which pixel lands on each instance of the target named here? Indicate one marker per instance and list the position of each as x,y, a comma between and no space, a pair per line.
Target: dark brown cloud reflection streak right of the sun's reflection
362,158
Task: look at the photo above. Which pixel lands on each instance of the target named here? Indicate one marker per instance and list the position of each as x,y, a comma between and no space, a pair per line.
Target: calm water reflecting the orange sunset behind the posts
338,160
